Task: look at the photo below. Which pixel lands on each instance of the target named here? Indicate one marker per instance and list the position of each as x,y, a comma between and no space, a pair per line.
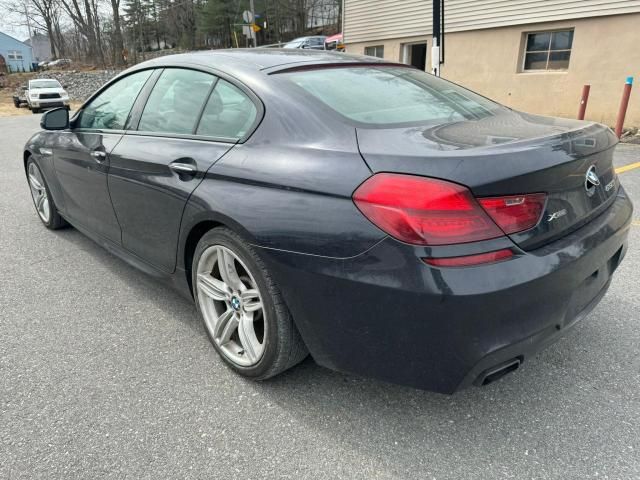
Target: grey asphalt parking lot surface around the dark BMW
106,374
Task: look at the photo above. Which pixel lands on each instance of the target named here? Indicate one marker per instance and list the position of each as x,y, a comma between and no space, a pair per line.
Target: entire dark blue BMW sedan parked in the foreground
389,223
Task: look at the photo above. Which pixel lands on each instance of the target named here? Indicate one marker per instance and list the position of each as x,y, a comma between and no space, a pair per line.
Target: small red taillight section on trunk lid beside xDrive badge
515,213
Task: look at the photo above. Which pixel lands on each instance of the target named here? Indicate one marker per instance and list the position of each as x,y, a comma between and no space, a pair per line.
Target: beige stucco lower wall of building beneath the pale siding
605,51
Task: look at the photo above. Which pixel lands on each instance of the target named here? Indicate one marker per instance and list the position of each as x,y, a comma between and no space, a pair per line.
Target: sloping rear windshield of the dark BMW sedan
379,95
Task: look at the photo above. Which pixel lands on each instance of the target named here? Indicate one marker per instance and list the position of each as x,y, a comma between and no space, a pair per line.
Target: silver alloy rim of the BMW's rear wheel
231,304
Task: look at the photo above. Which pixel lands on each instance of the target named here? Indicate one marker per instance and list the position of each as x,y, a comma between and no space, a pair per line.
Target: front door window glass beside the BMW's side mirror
110,109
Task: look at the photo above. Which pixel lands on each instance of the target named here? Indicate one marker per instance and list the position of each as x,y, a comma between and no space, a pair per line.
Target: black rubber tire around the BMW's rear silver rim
284,346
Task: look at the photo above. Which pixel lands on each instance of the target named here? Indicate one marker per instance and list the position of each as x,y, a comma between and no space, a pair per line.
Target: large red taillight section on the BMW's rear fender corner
424,211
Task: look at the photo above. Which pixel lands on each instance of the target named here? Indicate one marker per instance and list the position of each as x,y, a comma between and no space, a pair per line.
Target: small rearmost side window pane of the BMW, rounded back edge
229,113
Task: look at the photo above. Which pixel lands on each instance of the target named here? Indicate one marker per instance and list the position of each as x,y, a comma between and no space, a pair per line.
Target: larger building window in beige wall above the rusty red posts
548,50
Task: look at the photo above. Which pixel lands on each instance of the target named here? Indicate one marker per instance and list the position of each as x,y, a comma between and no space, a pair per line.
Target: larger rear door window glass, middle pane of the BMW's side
176,102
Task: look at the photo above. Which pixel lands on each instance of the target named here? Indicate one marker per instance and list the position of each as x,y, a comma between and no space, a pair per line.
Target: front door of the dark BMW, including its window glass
81,156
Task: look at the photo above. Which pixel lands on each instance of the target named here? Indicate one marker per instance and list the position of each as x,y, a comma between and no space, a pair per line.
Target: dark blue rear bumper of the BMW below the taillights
386,314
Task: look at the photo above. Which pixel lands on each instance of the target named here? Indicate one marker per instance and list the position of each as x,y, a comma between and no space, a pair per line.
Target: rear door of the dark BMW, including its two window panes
190,120
